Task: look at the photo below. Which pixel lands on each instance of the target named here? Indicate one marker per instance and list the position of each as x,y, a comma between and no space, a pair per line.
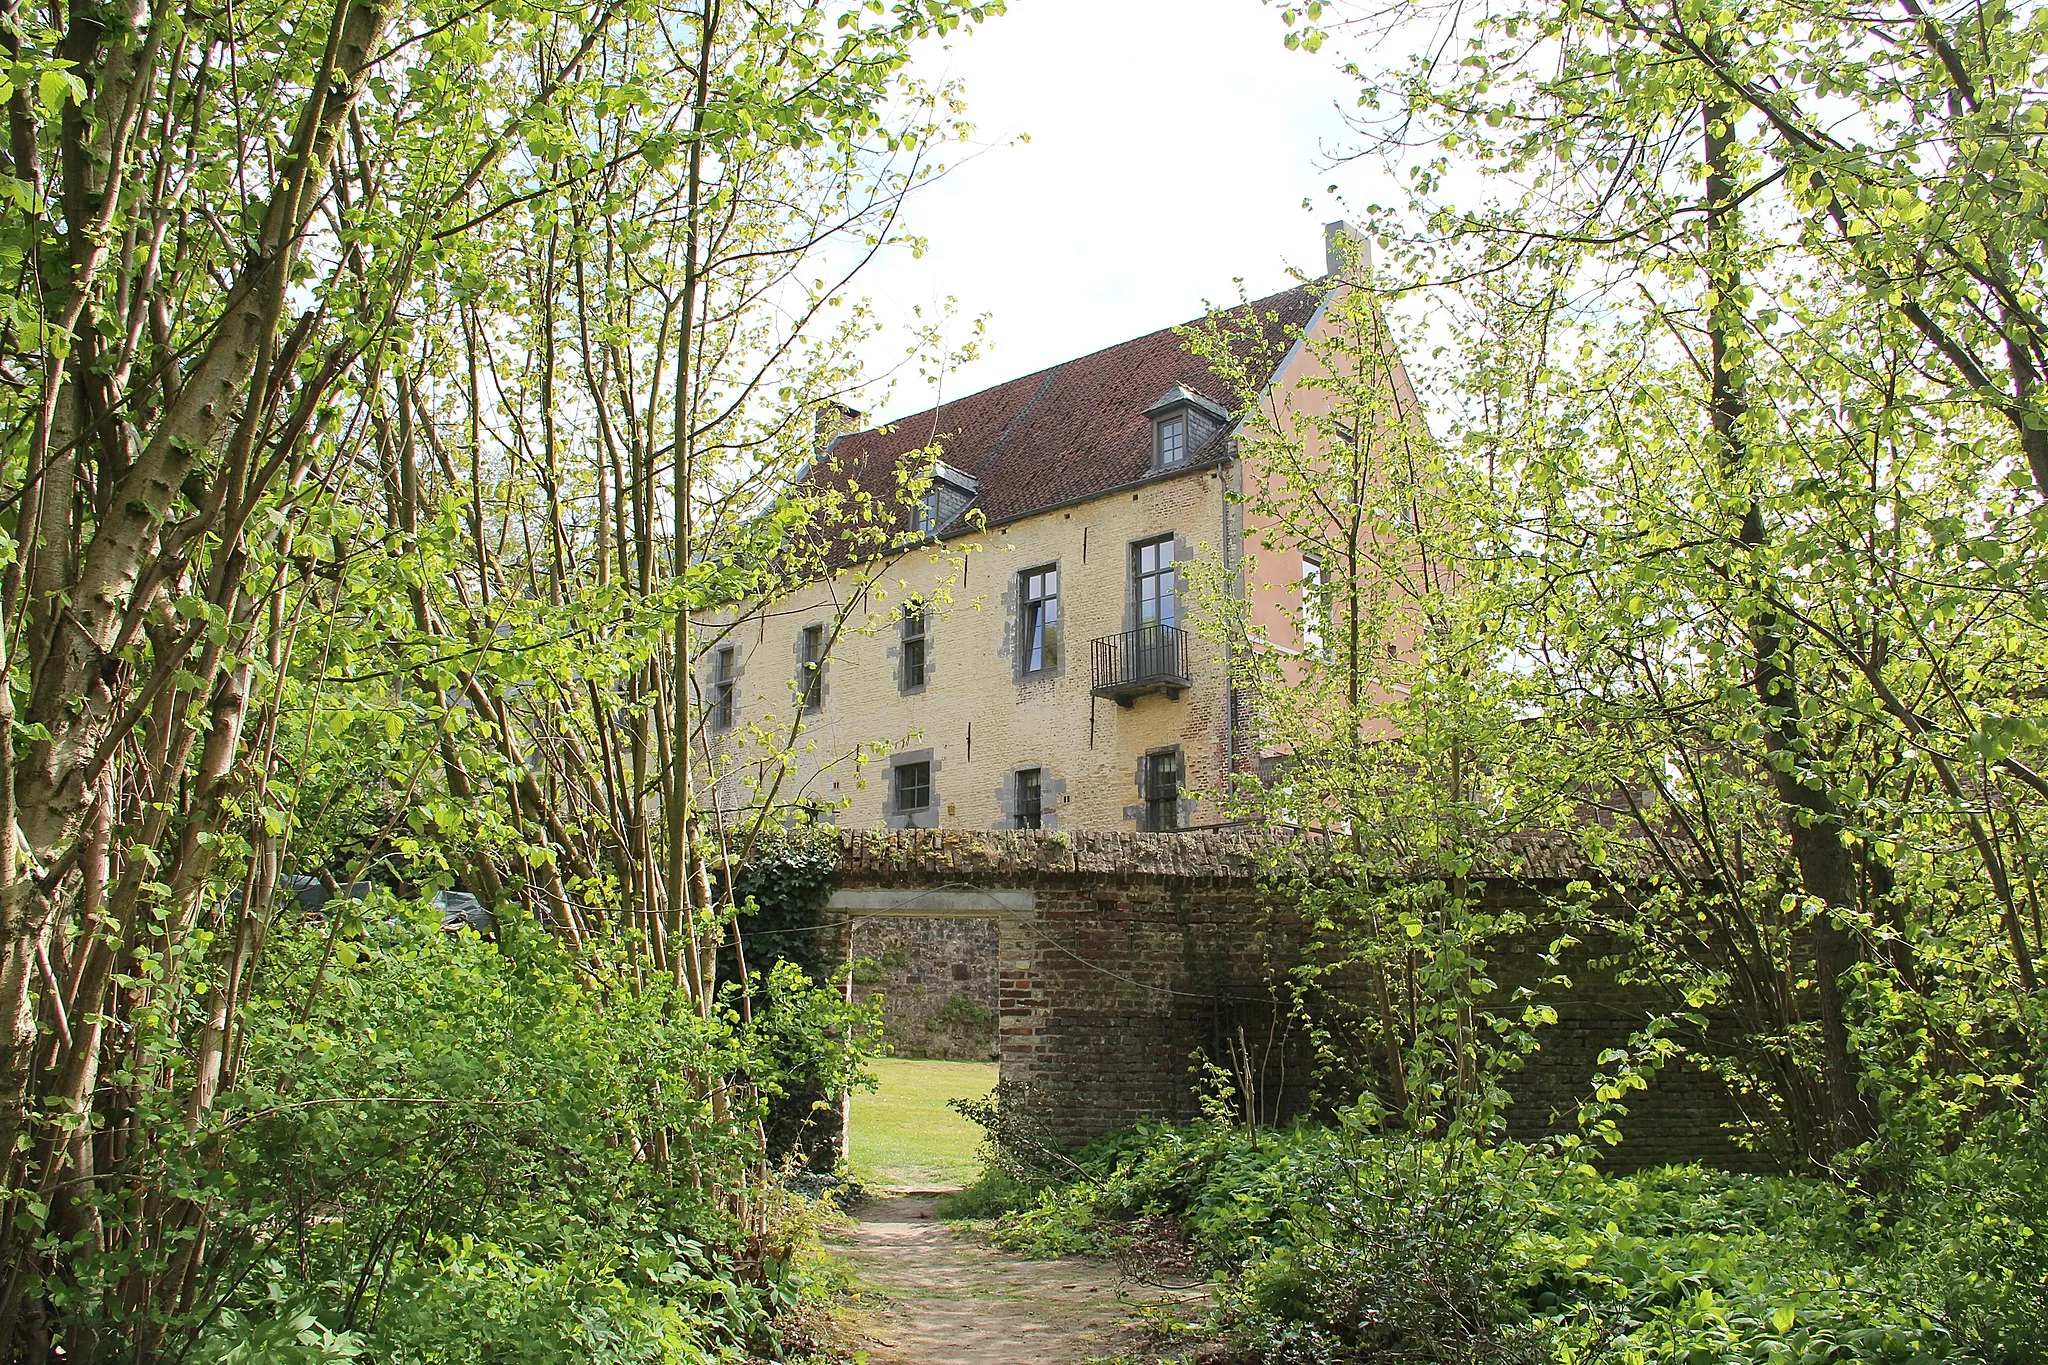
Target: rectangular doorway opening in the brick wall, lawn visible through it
933,961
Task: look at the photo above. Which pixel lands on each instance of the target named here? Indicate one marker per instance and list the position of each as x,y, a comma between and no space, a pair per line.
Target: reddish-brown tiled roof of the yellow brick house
1076,431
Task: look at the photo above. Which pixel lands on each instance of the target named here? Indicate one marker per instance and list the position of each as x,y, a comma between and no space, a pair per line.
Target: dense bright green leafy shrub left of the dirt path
450,1151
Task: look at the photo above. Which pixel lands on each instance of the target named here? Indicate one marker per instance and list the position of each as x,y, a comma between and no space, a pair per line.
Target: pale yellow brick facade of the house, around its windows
980,719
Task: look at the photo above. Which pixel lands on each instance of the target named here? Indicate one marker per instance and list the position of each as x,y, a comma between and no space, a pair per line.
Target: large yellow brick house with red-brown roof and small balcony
1035,660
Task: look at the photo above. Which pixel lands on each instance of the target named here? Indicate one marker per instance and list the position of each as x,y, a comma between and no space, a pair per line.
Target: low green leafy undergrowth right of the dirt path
1334,1245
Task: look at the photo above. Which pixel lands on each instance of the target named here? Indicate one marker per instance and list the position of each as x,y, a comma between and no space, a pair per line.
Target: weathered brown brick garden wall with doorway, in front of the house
1144,953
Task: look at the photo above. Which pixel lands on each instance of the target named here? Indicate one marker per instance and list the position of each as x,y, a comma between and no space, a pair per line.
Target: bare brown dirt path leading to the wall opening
953,1301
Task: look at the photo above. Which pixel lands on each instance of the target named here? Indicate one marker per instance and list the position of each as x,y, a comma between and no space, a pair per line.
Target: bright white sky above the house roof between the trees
1172,144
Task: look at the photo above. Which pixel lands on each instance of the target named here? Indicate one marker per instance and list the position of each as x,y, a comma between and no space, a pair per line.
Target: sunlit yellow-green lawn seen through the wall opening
904,1133
